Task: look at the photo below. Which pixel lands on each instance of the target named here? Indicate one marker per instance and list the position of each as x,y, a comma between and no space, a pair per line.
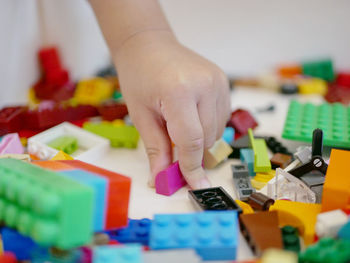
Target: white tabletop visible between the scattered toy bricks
144,202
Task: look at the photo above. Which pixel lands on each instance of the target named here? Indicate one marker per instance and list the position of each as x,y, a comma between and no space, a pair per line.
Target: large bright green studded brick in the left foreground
50,208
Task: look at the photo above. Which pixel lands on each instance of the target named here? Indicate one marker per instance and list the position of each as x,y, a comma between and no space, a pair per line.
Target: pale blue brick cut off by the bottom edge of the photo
118,254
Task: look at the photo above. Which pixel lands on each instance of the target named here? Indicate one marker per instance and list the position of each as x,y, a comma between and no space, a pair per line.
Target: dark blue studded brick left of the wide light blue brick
137,231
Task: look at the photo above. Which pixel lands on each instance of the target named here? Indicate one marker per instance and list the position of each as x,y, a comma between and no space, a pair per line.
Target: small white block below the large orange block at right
329,223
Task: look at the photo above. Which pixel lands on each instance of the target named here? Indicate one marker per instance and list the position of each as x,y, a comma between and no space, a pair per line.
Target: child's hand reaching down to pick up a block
174,95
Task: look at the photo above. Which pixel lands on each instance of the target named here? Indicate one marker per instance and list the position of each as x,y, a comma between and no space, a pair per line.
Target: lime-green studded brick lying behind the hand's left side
119,136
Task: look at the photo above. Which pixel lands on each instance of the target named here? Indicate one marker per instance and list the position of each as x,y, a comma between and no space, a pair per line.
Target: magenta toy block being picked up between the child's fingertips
169,180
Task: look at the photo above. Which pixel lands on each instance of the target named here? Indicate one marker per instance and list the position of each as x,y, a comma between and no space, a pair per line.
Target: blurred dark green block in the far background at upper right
322,69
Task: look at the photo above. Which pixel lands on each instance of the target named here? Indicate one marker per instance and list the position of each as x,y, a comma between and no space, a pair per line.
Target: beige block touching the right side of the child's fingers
216,154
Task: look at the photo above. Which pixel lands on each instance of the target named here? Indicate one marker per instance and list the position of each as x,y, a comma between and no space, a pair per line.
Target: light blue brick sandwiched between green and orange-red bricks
100,186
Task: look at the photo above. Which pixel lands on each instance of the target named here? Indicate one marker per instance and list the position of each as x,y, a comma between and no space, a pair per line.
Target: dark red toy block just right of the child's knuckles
241,120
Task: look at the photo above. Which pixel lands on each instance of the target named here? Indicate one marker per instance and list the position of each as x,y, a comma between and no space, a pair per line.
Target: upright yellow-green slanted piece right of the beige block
262,162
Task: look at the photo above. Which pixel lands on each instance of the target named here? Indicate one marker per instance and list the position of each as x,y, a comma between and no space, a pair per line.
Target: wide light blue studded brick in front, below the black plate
214,235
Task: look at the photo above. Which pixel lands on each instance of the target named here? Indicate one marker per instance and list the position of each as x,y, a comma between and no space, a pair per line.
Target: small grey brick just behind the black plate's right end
241,180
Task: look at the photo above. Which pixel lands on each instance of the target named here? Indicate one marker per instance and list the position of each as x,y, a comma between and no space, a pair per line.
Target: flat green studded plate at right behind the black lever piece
333,119
